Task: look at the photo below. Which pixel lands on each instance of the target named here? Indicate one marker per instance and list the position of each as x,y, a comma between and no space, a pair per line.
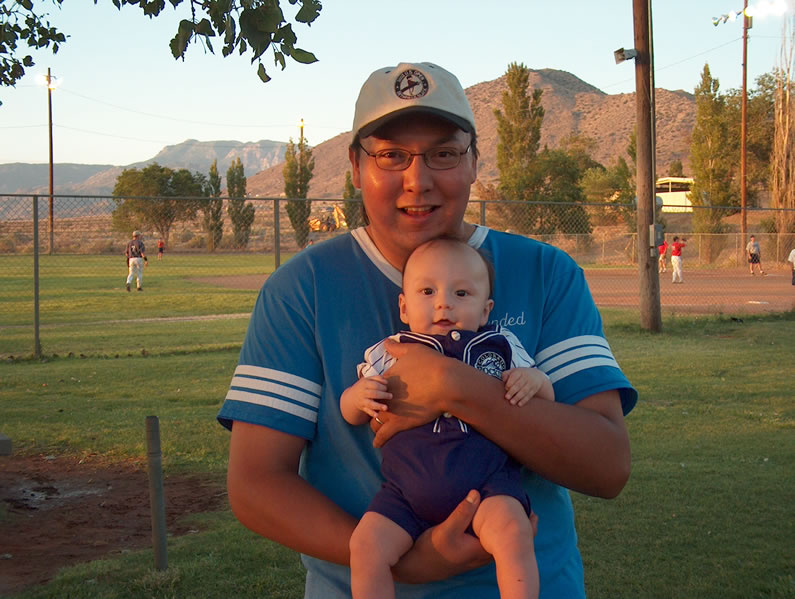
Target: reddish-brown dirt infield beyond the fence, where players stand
703,292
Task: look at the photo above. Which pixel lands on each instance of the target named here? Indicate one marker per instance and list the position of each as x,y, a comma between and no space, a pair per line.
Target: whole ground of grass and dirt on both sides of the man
707,513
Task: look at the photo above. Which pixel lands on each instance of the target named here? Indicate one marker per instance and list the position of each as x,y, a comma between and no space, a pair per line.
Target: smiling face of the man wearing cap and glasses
406,208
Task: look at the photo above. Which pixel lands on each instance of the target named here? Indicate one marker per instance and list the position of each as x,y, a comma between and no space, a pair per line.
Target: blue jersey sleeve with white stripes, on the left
279,377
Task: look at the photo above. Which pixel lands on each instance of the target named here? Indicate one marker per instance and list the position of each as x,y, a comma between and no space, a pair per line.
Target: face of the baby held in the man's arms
445,287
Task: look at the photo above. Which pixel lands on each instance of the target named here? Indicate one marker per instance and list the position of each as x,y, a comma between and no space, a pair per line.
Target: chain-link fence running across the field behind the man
61,259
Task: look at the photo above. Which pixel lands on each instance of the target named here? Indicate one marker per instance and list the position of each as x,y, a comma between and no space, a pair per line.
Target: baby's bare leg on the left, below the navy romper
376,545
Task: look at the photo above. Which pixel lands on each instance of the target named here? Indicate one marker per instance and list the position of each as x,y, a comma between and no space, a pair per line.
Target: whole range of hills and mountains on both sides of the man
571,106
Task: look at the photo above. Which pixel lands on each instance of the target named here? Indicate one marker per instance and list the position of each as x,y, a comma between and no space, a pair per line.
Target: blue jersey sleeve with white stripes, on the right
572,348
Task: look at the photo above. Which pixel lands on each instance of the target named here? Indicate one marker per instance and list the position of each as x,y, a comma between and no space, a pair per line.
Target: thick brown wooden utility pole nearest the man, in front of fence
650,315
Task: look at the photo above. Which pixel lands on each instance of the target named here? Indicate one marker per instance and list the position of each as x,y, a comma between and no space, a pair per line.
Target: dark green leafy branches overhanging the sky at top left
241,25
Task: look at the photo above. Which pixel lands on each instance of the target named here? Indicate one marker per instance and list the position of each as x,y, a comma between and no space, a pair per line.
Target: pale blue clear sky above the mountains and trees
123,97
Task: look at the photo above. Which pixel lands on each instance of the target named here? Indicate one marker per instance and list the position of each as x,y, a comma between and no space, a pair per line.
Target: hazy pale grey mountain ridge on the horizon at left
99,179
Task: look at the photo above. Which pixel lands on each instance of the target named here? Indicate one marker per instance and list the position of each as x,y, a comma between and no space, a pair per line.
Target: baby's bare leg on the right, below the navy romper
504,530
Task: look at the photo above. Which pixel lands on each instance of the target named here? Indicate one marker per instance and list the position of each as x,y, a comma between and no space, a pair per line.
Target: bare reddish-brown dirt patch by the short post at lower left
60,511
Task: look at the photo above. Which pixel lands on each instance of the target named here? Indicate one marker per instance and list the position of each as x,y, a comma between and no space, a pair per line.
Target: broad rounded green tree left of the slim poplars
156,197
